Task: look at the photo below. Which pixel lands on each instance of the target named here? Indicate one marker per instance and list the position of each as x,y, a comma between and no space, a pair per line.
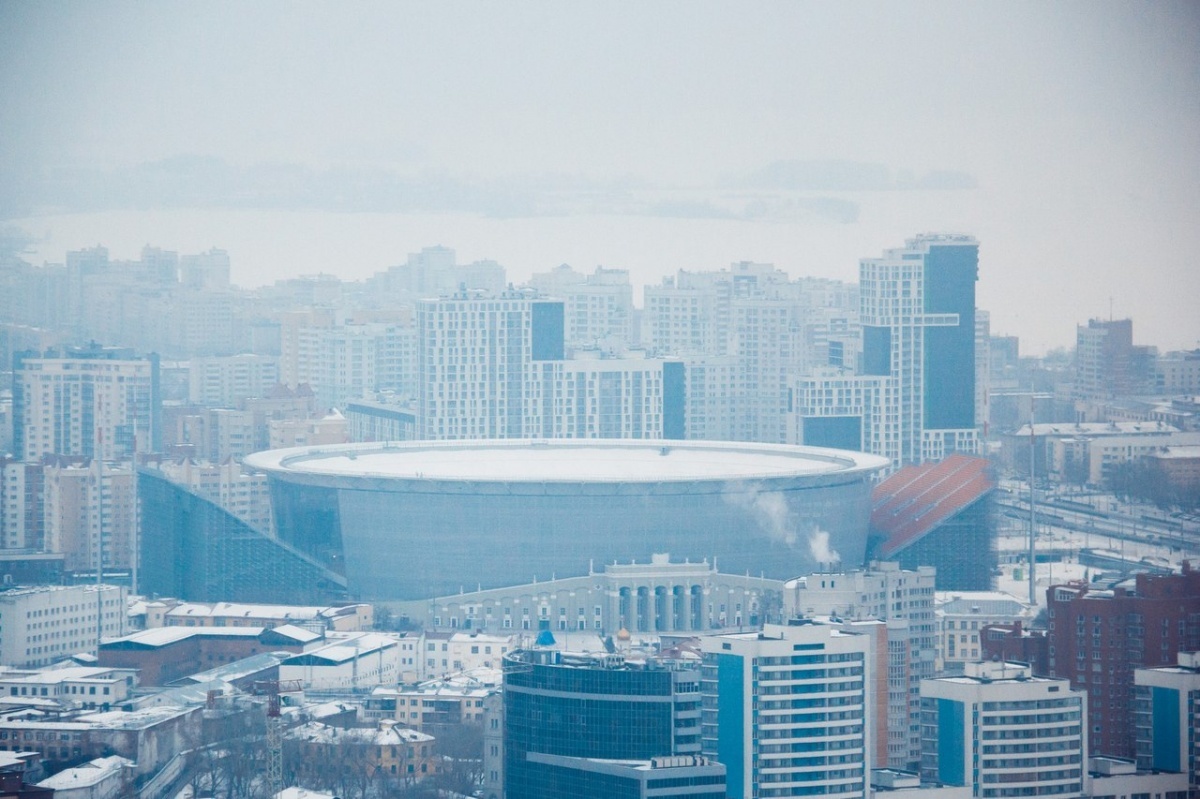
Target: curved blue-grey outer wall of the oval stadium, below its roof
413,538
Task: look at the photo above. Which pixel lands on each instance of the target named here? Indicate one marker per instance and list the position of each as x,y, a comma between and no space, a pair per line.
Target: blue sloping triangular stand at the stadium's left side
194,550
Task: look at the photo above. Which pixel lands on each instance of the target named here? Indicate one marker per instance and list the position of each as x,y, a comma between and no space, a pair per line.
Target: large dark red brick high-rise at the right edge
1099,636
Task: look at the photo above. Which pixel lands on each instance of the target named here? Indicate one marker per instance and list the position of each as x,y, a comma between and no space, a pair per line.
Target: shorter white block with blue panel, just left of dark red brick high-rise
1004,732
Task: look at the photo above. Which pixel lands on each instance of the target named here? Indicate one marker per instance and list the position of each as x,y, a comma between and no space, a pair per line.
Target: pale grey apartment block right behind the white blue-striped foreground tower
904,600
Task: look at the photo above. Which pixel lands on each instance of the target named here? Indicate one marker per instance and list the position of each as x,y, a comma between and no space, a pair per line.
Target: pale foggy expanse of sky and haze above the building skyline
313,137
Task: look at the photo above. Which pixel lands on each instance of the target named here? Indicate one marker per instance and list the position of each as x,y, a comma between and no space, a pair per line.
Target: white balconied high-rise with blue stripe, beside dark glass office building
787,711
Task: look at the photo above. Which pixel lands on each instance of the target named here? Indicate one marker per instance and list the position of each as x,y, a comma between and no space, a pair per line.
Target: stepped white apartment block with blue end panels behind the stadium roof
496,368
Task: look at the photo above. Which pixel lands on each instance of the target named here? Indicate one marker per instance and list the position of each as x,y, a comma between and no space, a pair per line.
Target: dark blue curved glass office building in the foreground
569,717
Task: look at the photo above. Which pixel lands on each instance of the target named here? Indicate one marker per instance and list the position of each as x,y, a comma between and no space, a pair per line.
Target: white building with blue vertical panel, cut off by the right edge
1167,718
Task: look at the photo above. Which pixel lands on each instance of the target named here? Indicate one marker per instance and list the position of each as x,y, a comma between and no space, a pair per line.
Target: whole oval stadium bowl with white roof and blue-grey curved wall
417,520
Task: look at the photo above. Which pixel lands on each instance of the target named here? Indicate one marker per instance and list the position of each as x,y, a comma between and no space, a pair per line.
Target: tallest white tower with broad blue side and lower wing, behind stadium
920,345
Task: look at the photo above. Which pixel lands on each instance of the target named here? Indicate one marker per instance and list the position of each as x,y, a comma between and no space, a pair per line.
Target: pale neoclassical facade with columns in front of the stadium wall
658,597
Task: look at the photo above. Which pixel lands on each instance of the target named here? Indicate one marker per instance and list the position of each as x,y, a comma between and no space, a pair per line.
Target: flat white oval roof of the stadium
566,461
